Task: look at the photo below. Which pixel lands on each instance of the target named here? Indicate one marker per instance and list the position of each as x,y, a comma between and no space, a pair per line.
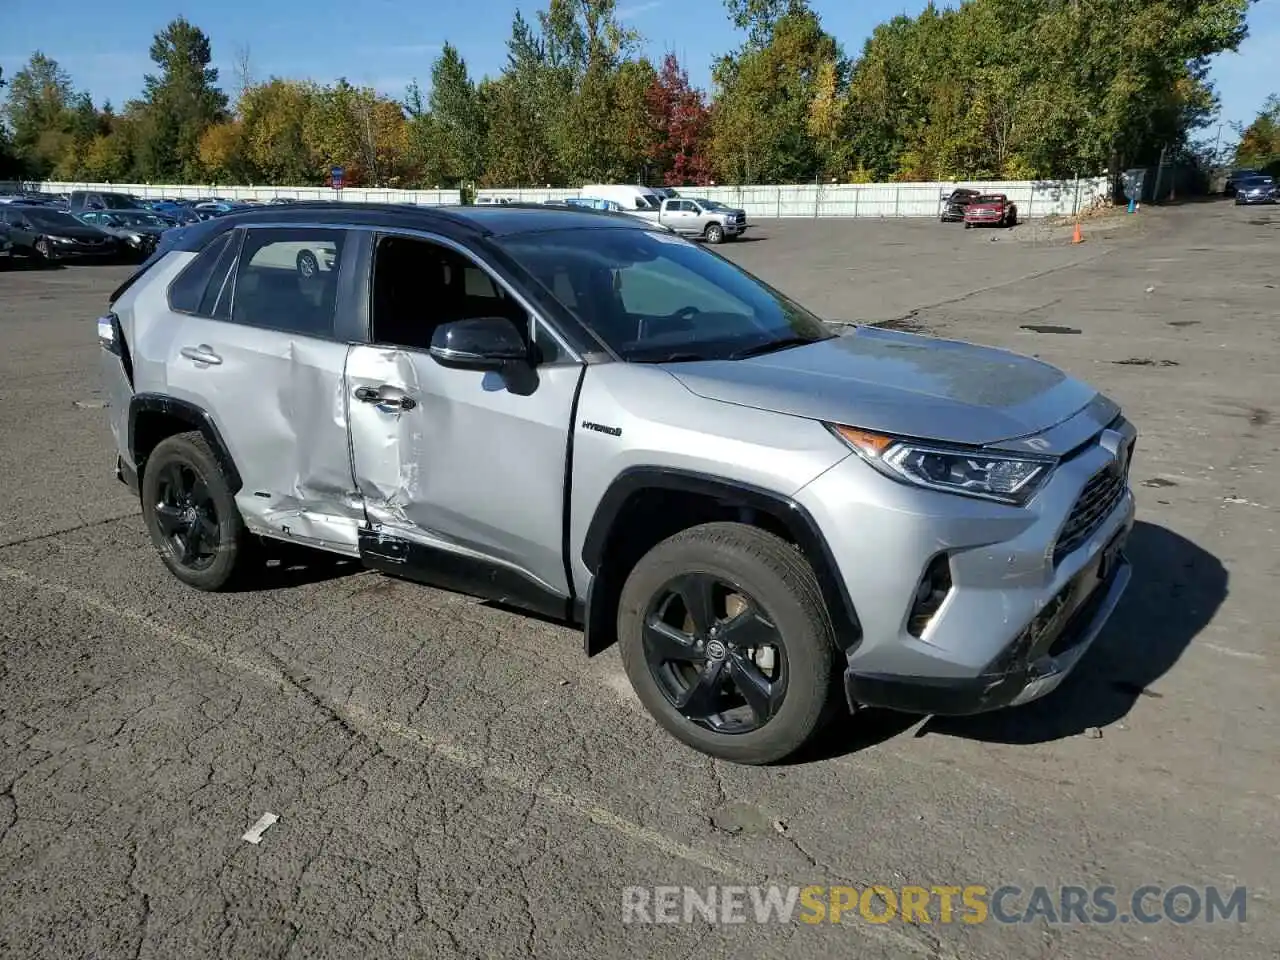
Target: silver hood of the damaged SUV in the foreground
898,383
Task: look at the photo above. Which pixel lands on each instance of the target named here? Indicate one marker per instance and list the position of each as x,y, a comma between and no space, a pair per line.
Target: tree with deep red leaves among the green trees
682,121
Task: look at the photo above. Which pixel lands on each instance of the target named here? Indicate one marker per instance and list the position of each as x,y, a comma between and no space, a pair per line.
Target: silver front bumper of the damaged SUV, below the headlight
1021,611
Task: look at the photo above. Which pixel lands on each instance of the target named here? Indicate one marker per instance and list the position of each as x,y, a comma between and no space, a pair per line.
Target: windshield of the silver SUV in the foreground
656,298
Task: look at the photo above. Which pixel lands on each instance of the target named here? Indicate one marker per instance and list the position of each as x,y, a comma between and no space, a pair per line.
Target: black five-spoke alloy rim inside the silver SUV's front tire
715,655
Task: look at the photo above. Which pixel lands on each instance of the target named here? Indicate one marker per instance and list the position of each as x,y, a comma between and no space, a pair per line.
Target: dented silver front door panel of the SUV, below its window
461,460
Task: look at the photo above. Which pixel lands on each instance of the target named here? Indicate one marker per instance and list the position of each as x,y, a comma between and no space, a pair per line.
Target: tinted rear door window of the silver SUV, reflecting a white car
287,280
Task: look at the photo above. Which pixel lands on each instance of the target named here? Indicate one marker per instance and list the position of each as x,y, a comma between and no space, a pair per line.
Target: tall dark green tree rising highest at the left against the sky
182,102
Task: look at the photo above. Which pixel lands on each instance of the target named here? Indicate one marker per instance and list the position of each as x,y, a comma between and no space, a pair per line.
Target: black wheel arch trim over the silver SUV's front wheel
797,520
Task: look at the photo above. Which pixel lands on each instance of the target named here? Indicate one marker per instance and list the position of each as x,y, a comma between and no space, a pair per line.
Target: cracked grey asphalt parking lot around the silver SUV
455,780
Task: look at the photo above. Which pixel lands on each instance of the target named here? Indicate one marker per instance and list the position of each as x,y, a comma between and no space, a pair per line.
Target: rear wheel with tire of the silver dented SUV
191,514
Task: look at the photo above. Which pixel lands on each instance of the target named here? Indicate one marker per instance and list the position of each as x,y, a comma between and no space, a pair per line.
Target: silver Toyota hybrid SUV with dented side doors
574,413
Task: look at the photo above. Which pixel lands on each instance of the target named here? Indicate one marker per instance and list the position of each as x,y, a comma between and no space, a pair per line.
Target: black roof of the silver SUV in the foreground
495,221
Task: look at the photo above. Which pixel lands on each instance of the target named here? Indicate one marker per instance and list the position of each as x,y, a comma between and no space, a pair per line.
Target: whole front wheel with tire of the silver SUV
728,642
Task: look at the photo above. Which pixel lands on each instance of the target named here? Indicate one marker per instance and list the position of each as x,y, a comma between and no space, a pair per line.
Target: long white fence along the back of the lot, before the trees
1035,199
